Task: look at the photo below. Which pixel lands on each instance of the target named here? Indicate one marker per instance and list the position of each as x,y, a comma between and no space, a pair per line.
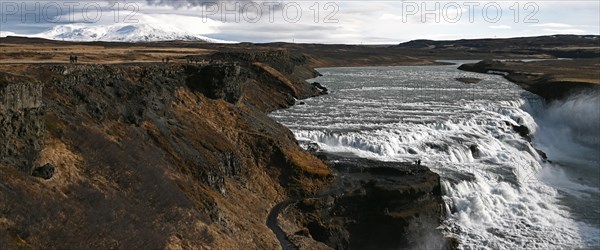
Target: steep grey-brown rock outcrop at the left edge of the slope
21,121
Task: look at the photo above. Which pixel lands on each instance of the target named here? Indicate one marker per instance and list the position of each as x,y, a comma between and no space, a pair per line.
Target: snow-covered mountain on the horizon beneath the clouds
122,33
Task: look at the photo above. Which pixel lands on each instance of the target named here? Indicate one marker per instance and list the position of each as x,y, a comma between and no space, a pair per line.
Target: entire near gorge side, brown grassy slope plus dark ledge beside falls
184,156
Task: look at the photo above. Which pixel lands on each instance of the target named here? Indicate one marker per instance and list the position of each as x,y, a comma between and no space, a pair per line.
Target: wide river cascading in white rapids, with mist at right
499,191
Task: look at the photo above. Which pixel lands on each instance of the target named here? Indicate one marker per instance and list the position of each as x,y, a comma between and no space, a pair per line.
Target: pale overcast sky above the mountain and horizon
372,22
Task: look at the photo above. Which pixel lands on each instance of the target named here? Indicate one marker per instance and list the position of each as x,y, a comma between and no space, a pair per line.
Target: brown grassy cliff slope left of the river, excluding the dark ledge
148,156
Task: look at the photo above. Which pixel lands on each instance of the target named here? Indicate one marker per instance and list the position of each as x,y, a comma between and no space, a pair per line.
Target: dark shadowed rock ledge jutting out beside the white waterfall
376,205
